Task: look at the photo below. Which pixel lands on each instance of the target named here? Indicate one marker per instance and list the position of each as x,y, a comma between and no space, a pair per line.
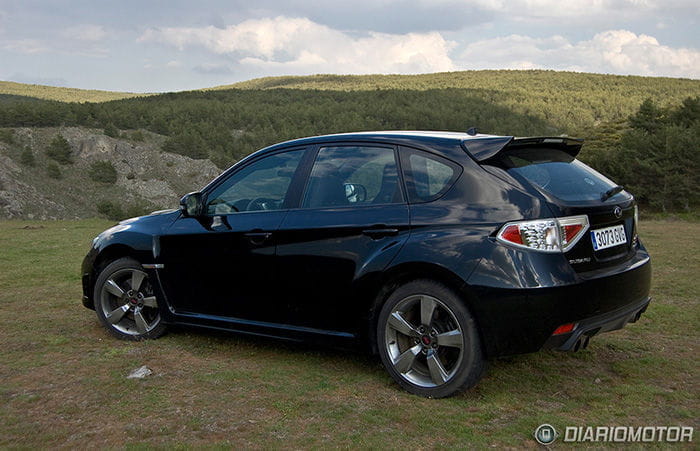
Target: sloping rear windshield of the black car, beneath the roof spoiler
556,172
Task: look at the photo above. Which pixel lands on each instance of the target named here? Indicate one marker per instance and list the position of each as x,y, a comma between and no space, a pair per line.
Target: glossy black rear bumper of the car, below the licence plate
522,320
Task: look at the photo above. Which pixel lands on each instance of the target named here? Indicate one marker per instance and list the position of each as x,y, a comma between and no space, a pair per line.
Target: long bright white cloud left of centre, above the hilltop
300,44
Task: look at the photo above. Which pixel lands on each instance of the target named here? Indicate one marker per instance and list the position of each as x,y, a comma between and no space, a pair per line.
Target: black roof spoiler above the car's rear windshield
481,149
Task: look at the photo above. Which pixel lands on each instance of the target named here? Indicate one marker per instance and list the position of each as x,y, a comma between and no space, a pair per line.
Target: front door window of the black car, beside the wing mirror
259,186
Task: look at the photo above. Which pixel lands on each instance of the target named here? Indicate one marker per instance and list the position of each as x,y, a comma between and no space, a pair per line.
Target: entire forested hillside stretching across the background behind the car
226,123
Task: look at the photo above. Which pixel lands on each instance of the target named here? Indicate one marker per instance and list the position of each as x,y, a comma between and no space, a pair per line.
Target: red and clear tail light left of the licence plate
545,235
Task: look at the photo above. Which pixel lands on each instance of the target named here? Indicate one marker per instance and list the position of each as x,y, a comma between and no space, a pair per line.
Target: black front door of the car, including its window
222,263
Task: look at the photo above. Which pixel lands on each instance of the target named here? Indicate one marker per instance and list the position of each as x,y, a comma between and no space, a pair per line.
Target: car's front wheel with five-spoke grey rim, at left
125,302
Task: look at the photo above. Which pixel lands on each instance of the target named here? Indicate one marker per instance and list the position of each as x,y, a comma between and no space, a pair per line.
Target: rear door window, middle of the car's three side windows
353,175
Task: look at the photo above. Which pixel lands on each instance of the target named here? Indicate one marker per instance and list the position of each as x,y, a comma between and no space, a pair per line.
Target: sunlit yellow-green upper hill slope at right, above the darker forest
568,99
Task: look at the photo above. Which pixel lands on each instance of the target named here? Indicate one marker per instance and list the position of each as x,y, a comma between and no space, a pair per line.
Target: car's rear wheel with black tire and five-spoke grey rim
428,341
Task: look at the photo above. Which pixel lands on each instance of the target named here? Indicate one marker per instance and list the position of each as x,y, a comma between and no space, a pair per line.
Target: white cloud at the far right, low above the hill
614,51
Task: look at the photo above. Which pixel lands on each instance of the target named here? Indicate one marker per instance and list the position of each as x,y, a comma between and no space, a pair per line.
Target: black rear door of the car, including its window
351,222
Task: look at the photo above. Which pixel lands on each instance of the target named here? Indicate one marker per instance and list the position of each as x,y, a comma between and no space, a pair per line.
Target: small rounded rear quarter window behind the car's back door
429,176
